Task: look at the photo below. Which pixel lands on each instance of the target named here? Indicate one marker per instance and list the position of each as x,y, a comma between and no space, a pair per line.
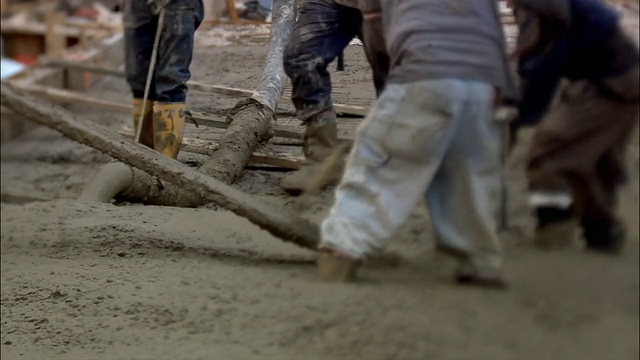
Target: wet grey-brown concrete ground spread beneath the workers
127,281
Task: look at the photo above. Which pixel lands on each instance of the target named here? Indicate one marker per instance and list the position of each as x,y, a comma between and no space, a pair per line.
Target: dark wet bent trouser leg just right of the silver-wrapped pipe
321,33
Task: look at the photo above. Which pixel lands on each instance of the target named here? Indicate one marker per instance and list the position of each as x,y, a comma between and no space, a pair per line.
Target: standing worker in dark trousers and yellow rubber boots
164,113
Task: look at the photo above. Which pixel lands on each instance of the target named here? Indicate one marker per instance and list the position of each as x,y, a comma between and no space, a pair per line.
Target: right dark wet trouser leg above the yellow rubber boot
175,52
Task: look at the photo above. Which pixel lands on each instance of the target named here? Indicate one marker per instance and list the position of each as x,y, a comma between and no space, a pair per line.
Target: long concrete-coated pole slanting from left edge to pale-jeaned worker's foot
279,221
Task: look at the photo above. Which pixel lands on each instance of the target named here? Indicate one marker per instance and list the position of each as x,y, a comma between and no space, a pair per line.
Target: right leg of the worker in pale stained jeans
464,197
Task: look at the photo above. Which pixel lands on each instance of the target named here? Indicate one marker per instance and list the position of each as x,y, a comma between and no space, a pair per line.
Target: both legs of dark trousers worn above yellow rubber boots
175,51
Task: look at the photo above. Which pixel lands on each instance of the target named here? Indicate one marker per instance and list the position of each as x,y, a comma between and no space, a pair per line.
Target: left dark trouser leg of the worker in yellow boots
139,32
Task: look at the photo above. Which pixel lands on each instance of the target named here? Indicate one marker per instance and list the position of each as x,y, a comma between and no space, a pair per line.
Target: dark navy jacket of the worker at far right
572,39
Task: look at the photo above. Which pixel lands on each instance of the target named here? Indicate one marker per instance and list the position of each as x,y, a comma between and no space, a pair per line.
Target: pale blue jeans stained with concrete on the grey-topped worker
435,140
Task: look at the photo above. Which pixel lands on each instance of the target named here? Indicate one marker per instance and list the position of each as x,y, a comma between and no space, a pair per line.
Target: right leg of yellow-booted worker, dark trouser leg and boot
175,52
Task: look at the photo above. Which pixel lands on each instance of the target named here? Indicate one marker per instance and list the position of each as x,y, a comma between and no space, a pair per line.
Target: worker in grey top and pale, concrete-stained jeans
431,135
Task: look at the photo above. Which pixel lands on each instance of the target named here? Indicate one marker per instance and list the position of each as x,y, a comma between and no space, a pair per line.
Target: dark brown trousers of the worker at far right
578,152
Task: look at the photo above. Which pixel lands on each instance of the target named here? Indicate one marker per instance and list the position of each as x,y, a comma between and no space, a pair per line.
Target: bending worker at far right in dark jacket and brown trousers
577,157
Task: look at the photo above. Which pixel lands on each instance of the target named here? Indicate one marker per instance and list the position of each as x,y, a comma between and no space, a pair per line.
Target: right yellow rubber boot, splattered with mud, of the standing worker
168,126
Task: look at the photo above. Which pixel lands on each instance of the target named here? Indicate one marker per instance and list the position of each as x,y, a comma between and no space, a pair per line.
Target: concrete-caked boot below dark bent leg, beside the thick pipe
320,142
